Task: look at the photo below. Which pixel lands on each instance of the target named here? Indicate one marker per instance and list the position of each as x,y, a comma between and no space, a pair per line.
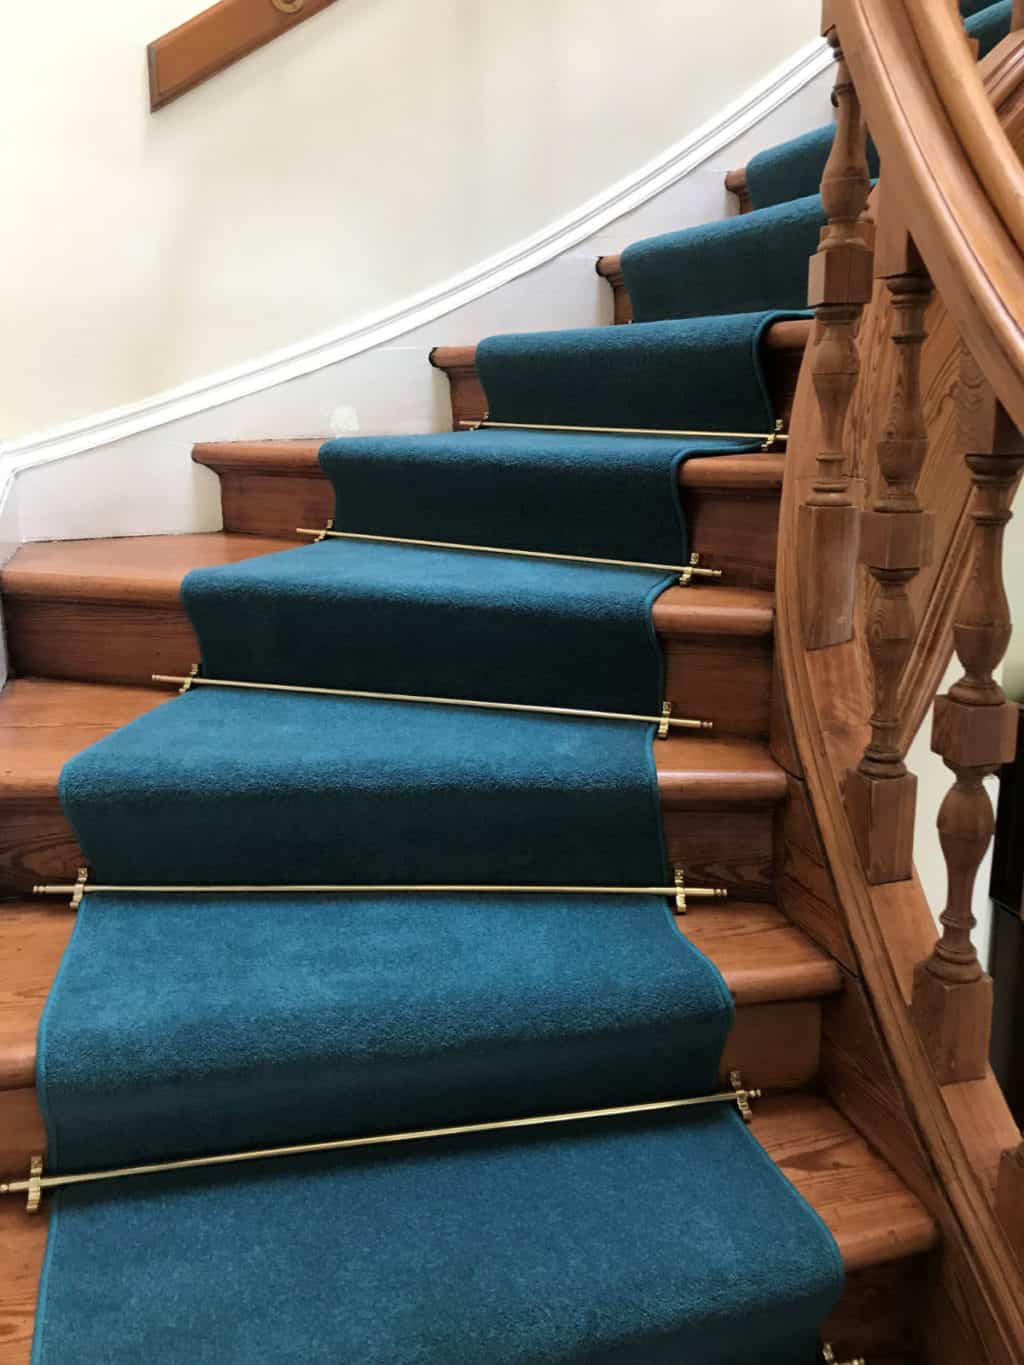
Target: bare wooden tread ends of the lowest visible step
872,1214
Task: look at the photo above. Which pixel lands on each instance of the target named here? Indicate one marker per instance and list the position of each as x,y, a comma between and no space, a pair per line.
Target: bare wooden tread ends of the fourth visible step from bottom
148,571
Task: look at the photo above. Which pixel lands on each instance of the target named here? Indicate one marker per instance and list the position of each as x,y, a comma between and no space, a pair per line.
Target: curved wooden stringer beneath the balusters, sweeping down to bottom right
973,1287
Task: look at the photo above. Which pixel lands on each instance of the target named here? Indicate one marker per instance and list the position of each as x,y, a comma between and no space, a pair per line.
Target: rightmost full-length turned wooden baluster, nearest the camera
976,734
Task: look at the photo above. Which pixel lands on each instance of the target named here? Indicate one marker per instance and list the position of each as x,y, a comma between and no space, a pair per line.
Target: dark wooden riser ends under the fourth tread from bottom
726,680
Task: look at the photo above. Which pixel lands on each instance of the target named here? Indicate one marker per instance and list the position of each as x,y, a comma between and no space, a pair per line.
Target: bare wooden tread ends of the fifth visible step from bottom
298,459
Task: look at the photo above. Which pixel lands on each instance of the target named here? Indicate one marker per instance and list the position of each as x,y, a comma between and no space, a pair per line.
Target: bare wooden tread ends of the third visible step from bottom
44,723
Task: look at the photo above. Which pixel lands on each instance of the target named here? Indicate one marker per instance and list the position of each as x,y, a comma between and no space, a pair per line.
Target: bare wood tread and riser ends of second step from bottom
776,975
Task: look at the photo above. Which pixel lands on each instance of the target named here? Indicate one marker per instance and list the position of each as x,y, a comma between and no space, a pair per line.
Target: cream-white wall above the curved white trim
379,148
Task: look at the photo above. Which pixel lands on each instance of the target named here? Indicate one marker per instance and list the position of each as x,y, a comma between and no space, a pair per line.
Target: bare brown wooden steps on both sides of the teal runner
89,622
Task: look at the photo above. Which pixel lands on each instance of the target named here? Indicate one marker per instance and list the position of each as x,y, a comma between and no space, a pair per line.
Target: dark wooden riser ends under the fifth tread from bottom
733,529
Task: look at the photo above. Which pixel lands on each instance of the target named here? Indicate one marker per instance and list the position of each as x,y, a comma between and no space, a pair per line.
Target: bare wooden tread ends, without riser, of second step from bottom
760,953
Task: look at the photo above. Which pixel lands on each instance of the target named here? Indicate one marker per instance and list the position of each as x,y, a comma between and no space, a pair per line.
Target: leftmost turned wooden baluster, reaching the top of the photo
839,287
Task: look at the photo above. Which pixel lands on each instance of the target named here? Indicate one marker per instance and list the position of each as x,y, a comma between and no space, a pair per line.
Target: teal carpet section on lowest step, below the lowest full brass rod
623,1243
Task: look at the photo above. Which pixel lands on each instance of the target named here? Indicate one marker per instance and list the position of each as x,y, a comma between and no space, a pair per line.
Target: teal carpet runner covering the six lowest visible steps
200,1024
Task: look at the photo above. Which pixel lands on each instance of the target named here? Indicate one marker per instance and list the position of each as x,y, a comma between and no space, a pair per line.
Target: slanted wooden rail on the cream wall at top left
215,40
